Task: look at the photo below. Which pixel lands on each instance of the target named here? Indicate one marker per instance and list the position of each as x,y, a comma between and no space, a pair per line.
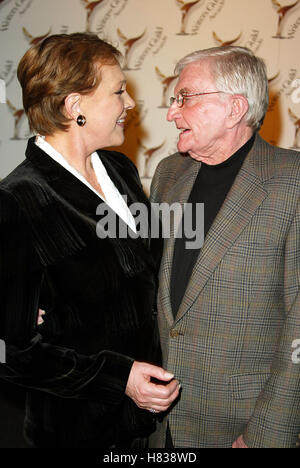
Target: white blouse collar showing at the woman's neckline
113,198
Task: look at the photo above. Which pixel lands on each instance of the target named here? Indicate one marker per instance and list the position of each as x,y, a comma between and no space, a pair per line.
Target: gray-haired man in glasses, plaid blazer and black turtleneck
229,312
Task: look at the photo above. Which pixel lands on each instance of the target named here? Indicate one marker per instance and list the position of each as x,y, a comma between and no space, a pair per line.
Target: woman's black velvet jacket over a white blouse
99,297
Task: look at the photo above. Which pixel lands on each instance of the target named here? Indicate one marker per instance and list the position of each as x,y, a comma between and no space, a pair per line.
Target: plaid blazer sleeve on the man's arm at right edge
275,422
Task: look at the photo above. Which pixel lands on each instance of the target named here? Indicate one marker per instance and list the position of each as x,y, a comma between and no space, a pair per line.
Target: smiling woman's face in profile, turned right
105,109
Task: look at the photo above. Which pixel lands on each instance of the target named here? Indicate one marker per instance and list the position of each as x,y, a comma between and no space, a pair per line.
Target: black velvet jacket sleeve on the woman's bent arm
29,361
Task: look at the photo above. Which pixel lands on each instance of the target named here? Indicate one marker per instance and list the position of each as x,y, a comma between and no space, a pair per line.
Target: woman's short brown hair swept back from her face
61,64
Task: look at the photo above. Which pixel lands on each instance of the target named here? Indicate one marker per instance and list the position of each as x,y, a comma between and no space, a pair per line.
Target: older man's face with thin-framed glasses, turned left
202,119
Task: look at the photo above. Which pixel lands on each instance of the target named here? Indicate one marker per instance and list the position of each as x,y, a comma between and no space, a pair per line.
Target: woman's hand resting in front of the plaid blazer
148,395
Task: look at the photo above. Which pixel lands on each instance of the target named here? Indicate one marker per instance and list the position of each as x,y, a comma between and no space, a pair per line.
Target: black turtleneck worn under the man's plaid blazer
211,186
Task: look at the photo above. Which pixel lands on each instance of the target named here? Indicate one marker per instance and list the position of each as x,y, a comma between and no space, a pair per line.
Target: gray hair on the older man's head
237,70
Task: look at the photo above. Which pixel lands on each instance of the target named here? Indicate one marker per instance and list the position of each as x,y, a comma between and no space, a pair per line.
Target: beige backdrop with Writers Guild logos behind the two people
153,35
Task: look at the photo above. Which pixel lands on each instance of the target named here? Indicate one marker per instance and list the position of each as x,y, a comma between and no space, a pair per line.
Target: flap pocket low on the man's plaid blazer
246,386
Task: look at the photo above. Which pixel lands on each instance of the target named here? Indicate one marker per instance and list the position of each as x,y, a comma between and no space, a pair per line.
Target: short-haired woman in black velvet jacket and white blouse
88,366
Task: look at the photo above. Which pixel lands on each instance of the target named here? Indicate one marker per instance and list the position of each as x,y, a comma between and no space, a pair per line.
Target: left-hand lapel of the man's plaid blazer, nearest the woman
179,193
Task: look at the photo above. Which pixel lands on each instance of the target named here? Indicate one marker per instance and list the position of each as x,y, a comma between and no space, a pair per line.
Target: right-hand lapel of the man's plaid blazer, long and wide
242,201
